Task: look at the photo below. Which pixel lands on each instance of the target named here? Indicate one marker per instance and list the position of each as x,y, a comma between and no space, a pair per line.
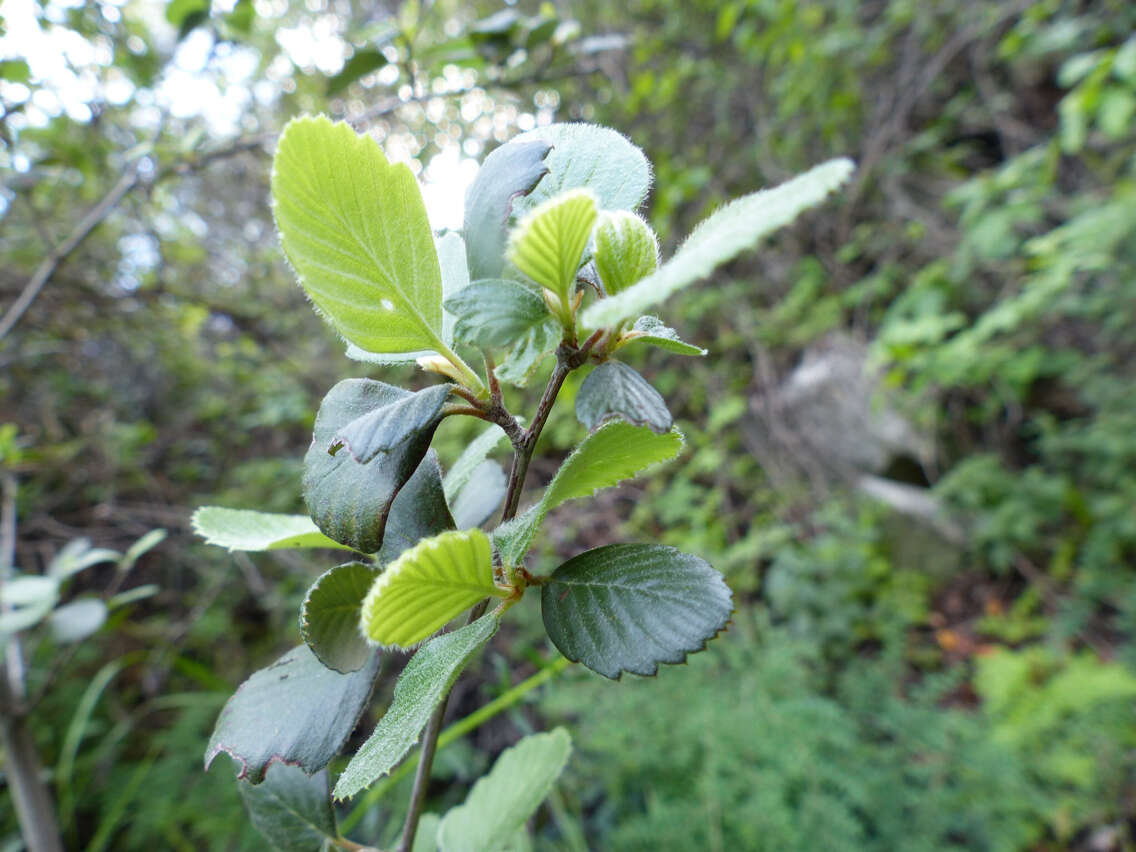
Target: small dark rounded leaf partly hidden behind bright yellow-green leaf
330,616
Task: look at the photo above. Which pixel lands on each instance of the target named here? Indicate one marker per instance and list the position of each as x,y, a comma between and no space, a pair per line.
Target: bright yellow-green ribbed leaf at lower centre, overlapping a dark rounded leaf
433,582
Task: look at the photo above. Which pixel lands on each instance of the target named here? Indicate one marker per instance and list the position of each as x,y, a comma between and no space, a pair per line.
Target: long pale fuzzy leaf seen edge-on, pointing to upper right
721,238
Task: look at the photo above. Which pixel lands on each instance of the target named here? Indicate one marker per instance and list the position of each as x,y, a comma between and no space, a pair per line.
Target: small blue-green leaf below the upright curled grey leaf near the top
496,313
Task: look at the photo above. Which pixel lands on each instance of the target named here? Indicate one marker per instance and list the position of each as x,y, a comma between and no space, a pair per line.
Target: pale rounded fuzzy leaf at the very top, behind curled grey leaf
589,156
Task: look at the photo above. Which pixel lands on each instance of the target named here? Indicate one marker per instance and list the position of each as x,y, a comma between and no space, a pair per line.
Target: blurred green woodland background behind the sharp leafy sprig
913,448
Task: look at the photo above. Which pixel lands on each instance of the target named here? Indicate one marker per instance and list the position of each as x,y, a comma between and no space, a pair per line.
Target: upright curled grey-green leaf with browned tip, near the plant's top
509,172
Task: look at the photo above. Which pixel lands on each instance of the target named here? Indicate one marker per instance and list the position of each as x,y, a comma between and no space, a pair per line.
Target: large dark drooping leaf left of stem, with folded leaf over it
350,502
